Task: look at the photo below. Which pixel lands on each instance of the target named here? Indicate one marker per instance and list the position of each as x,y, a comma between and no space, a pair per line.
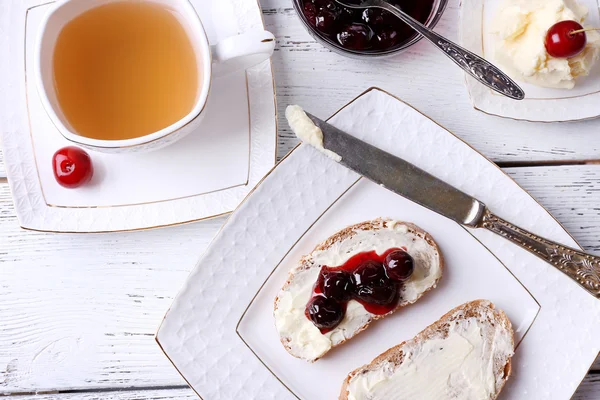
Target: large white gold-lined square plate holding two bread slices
220,334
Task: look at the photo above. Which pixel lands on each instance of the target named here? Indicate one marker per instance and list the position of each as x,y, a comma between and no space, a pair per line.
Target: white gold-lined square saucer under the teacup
205,174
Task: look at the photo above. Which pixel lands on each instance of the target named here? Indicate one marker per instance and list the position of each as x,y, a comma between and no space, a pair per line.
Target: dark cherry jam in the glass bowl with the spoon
370,29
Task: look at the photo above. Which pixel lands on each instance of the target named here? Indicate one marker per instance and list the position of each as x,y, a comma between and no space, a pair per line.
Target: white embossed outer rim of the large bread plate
198,333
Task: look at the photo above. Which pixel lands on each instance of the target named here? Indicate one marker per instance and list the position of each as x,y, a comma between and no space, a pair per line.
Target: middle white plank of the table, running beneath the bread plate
80,311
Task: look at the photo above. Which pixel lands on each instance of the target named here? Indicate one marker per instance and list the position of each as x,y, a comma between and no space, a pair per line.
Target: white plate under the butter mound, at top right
540,104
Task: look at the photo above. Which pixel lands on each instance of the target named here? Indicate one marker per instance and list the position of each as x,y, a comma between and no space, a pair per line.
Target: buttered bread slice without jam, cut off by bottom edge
464,355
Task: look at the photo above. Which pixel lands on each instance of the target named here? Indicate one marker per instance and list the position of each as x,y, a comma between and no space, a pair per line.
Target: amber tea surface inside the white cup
125,70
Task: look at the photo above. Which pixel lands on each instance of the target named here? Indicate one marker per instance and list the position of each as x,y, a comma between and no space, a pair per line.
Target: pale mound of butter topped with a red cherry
521,27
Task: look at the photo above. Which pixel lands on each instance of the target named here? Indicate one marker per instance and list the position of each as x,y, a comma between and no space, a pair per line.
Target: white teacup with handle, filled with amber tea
123,75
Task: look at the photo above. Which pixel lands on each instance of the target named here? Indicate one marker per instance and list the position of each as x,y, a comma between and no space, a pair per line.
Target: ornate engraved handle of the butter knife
584,268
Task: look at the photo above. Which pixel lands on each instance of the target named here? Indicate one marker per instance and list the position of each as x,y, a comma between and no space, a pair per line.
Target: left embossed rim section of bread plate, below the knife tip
198,333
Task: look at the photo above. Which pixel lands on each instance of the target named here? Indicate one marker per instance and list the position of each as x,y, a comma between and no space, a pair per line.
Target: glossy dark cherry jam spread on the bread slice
371,279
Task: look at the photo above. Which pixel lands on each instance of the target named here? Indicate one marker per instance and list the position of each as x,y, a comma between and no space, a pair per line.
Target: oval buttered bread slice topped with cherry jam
299,335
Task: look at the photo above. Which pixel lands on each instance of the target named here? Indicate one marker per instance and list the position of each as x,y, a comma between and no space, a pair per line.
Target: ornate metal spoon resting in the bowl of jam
474,65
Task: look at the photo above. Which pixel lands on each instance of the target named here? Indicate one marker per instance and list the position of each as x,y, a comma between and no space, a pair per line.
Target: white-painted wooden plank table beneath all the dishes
78,312
